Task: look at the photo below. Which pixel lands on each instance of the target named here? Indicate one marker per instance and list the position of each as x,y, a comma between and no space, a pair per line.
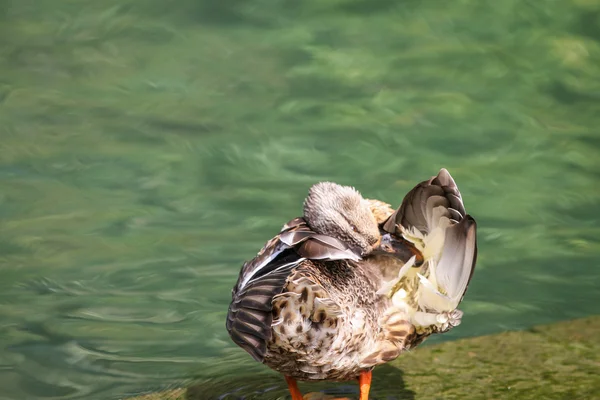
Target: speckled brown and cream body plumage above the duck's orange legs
330,323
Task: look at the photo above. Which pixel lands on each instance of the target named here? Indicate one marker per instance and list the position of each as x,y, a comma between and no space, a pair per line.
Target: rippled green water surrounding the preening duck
148,148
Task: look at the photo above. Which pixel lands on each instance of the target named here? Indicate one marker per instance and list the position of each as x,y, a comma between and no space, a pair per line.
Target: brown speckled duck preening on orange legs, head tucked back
352,283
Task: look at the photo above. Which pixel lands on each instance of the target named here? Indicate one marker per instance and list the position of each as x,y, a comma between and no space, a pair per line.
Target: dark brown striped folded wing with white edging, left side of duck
250,315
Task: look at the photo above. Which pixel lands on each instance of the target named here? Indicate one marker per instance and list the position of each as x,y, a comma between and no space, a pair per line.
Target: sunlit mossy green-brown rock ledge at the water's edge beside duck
558,361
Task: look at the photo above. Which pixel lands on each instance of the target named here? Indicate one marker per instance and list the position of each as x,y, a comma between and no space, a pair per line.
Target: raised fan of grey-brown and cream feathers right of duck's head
433,217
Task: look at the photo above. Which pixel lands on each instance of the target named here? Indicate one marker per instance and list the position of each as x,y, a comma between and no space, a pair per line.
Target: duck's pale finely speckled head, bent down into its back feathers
341,212
